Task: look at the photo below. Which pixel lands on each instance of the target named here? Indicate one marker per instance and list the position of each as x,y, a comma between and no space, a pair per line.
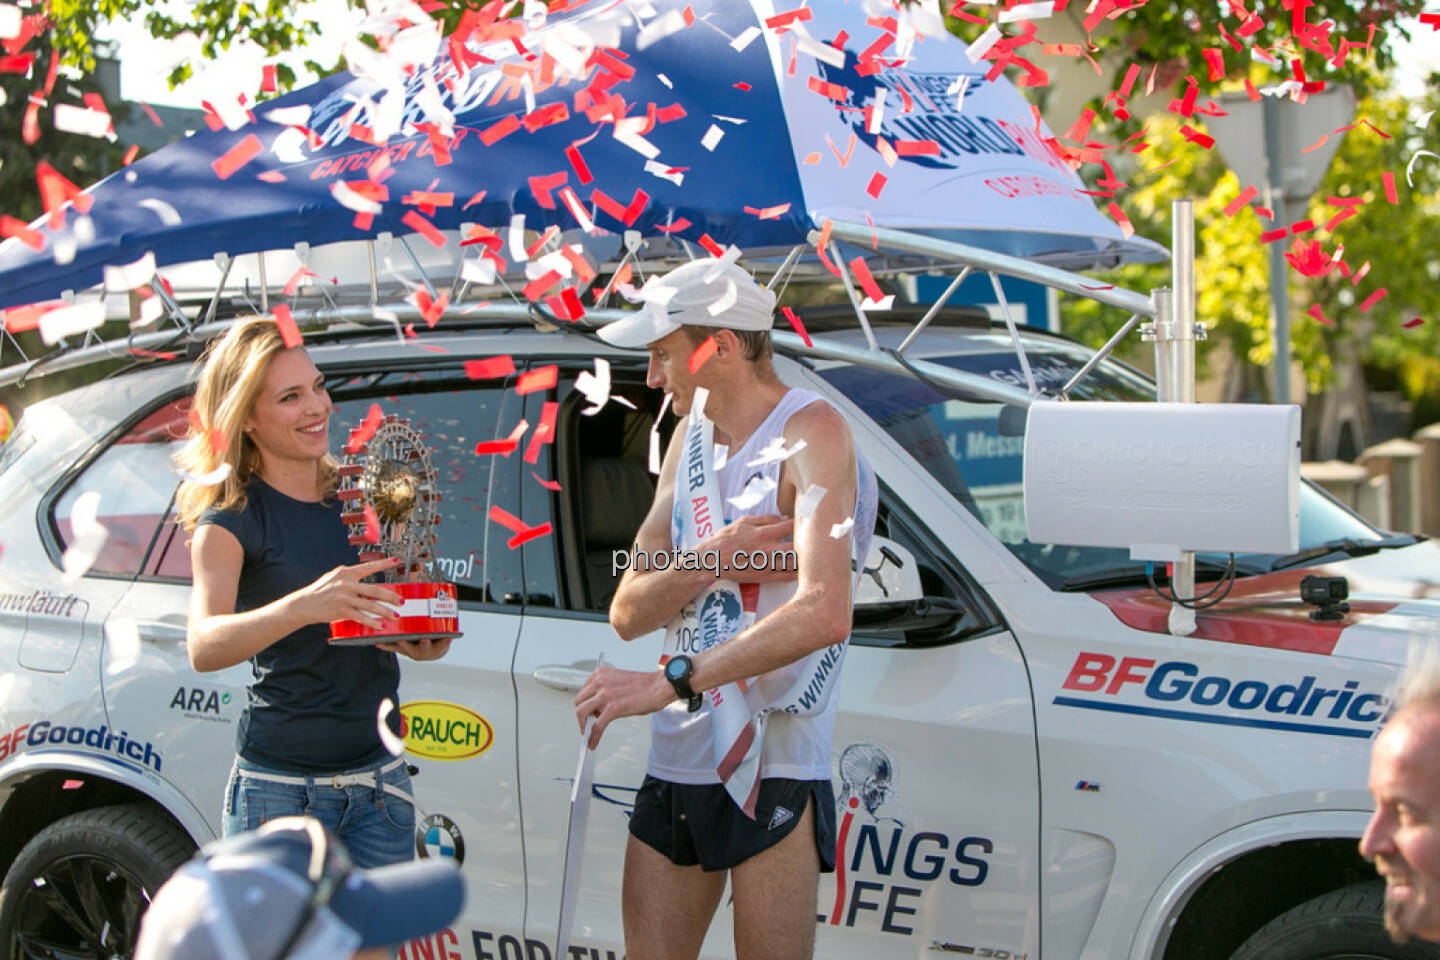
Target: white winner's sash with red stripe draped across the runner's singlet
725,610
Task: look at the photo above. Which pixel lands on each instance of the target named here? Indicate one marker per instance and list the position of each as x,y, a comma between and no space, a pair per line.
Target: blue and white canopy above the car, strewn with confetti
642,132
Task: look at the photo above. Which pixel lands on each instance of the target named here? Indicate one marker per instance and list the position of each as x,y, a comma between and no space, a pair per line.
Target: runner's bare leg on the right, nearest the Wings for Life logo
775,897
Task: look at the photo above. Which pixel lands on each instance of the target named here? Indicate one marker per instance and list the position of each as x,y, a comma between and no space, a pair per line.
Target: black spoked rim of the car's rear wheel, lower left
80,907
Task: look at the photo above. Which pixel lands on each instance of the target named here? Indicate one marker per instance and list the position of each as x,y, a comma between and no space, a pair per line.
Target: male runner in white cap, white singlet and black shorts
690,824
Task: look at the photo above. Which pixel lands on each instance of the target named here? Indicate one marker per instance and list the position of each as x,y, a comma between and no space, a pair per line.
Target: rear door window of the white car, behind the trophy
454,415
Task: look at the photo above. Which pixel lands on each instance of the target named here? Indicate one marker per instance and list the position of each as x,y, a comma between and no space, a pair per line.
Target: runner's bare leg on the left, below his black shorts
667,909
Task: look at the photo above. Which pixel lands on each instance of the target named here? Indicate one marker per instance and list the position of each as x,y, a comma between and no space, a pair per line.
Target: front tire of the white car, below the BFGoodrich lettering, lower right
1344,923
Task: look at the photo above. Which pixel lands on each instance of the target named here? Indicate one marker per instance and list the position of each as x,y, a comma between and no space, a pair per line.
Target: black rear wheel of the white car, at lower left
100,869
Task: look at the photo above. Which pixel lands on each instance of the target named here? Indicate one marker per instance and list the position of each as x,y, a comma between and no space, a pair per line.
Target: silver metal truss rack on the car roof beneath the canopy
181,335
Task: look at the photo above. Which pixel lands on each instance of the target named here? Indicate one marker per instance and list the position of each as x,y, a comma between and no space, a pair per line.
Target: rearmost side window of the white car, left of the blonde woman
136,481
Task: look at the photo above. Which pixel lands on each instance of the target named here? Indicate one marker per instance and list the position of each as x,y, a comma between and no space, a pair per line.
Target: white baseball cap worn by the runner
706,293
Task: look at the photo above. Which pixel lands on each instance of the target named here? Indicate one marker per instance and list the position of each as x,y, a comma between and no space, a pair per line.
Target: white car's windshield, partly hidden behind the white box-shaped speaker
977,454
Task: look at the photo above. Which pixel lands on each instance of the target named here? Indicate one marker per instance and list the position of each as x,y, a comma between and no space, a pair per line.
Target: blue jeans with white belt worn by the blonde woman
375,825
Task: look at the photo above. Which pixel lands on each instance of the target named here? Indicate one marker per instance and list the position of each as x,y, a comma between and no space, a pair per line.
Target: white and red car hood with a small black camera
1395,598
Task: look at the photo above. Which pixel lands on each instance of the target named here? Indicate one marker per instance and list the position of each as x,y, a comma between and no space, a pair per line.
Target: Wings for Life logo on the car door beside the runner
873,853
